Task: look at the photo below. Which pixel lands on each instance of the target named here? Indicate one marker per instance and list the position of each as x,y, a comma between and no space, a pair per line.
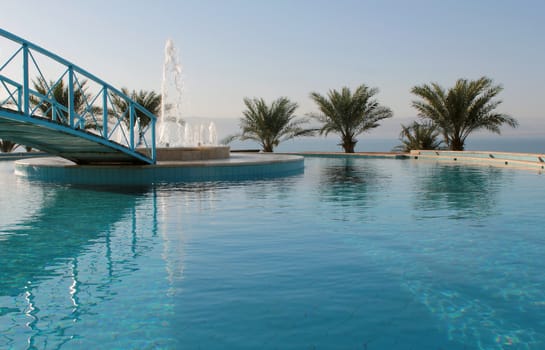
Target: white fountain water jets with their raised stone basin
177,138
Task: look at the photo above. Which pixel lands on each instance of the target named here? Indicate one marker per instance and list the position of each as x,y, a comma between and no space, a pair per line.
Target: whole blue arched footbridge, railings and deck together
50,104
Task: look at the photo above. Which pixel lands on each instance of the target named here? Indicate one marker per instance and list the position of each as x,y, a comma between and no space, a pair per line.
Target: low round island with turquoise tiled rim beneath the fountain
174,165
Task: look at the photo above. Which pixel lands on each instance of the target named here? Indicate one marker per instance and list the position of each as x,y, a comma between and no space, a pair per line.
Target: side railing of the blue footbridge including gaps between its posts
74,98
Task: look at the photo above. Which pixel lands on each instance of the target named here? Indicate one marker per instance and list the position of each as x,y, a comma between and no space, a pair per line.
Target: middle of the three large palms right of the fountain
349,114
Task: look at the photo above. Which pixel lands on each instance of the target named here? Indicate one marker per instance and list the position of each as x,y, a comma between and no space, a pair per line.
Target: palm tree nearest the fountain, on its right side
270,125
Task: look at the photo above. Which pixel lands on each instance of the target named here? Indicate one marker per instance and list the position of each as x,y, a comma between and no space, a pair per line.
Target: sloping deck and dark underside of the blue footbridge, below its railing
61,140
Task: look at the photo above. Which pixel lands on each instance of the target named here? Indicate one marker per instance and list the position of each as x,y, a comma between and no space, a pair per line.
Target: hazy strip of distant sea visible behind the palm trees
330,144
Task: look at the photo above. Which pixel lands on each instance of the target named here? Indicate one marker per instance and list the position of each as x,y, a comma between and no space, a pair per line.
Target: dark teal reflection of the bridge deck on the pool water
68,221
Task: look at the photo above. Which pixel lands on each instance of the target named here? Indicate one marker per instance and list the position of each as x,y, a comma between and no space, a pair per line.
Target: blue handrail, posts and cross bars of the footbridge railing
72,70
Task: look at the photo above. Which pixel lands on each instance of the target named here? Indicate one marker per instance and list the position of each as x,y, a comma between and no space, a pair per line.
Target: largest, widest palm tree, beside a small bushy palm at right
468,106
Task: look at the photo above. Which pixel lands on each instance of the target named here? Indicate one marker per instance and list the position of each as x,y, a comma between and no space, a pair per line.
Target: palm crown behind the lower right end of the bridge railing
150,100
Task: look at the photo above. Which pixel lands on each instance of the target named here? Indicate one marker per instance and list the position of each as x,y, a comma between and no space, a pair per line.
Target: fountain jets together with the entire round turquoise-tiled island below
185,152
